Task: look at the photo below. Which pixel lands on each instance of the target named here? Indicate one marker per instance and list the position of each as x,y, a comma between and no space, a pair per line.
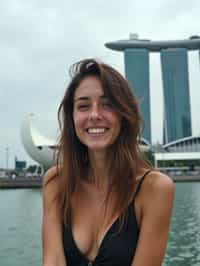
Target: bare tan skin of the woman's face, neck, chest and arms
153,205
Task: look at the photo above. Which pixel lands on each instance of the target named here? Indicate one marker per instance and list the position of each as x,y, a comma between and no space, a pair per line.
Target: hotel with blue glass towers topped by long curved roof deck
175,79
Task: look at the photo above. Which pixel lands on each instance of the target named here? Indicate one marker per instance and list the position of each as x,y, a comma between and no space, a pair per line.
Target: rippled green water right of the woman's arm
184,242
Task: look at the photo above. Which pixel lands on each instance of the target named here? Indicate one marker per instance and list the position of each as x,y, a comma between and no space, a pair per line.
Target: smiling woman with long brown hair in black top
103,203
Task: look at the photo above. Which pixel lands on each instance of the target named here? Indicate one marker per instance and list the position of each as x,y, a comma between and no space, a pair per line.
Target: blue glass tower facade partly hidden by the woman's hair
137,73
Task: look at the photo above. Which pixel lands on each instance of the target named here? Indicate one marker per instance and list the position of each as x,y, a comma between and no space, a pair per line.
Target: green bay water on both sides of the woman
21,216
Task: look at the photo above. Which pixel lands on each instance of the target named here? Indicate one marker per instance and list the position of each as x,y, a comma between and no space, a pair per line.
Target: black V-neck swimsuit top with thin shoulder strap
116,249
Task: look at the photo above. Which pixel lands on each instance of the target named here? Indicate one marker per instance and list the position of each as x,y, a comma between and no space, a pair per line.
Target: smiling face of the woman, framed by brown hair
97,124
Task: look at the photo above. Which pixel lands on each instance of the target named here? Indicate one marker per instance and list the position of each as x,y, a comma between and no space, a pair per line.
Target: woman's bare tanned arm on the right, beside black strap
156,217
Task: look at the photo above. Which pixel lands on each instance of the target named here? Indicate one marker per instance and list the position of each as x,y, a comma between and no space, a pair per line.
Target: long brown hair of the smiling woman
125,157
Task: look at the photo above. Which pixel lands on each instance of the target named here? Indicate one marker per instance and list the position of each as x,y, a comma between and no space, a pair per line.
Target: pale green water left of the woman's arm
20,227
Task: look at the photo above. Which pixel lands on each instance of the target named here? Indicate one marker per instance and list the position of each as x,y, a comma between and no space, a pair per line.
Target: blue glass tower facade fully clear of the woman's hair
177,111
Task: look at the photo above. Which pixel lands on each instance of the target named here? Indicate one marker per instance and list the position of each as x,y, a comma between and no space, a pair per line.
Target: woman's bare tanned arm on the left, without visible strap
53,254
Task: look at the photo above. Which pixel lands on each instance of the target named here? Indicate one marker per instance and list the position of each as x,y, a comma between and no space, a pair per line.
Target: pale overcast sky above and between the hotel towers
41,39
